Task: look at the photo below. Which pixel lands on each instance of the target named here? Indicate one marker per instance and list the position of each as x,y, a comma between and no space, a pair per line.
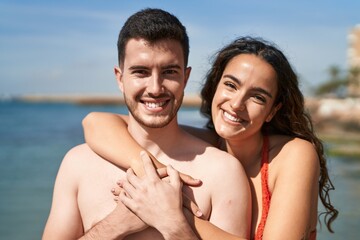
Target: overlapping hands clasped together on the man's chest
157,197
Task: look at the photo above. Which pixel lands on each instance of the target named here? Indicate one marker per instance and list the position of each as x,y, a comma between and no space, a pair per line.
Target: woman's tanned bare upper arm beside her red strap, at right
293,208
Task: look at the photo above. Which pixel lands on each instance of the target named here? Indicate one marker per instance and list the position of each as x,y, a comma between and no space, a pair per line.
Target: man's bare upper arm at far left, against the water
64,221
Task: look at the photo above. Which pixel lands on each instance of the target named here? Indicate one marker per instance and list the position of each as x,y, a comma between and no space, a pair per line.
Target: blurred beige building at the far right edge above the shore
354,61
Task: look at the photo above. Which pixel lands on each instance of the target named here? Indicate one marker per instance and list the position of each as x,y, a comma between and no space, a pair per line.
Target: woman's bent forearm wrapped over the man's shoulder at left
107,135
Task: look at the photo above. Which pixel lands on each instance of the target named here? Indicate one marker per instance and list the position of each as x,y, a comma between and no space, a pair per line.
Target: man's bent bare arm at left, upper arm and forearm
65,220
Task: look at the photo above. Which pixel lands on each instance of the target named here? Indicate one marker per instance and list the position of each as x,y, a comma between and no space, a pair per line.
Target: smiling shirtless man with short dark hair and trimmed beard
152,74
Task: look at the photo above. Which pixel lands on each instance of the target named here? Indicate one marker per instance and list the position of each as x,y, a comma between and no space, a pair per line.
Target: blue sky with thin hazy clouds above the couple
69,47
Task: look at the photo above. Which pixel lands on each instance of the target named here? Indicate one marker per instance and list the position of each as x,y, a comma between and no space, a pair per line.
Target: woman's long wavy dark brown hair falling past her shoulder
292,118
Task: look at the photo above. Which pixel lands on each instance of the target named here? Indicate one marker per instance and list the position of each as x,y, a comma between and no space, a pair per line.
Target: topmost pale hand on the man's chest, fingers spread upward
156,202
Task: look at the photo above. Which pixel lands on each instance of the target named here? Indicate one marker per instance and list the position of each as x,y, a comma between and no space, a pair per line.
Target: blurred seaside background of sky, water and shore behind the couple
56,65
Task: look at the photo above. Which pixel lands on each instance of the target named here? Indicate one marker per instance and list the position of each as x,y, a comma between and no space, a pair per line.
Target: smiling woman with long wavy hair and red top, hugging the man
252,99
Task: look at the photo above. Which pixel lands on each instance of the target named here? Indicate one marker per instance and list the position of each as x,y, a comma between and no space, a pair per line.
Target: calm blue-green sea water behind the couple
35,137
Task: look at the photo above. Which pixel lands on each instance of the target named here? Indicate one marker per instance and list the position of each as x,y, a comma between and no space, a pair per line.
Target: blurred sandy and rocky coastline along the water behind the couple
336,121
